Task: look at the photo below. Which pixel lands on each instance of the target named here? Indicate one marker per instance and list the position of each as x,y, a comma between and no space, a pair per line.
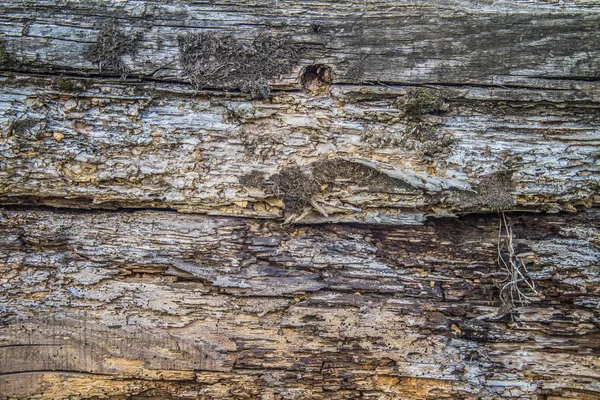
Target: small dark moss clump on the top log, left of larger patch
111,44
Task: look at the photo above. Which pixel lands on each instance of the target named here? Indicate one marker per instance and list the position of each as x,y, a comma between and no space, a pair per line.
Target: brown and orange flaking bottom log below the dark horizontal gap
161,304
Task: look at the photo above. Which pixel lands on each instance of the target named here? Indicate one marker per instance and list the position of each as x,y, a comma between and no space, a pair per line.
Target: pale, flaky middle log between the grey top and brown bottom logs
139,145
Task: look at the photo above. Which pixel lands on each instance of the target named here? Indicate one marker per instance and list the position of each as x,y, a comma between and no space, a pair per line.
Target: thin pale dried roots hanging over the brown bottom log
516,270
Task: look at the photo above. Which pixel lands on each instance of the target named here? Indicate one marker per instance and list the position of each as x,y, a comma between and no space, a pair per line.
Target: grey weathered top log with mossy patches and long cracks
521,43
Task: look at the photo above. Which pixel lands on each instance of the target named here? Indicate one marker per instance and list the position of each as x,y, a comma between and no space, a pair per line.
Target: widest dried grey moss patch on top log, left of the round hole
211,60
